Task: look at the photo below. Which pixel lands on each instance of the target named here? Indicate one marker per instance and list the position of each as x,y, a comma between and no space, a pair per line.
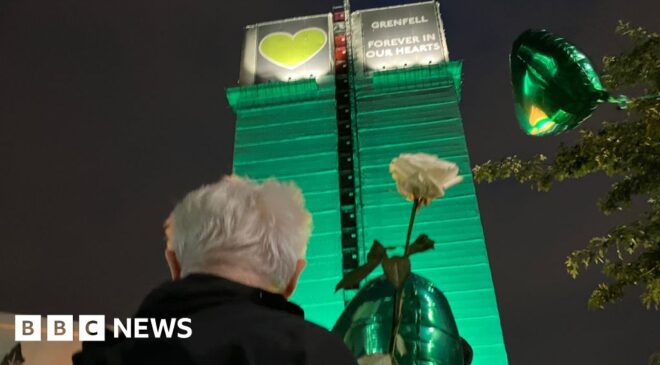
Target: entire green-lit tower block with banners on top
328,101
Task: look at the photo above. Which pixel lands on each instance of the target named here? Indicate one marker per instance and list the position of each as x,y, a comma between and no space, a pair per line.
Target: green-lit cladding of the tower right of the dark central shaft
416,110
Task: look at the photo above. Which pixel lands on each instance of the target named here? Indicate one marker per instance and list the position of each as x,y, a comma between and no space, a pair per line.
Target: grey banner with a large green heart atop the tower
287,50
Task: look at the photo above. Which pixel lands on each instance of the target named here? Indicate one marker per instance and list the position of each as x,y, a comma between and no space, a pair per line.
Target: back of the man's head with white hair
239,226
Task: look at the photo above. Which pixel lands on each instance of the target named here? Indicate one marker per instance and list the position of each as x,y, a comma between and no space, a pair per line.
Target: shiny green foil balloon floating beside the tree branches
554,85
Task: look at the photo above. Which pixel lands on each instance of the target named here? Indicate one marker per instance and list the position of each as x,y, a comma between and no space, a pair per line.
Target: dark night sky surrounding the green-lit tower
110,111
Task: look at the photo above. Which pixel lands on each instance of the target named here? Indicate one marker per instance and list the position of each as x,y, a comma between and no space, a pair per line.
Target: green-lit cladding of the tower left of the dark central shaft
288,130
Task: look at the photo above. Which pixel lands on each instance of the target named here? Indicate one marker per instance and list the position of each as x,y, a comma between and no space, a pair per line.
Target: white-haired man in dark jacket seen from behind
235,250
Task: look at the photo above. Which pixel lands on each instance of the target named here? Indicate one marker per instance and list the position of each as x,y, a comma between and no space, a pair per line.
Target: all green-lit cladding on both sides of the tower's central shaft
289,131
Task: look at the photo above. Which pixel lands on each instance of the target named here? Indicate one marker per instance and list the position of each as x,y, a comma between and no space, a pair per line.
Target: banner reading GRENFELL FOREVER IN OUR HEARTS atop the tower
399,36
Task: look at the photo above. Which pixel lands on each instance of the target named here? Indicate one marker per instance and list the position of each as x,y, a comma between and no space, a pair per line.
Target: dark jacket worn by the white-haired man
231,324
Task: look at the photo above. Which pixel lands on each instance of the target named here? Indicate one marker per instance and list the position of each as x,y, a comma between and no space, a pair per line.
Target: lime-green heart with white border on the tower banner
292,50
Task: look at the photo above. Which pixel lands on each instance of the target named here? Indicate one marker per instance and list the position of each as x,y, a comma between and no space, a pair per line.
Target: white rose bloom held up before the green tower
423,177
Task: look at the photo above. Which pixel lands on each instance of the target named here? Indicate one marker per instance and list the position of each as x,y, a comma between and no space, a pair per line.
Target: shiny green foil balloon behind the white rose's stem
427,327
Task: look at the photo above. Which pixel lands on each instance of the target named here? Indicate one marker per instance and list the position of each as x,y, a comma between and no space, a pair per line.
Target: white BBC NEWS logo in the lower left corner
91,328
